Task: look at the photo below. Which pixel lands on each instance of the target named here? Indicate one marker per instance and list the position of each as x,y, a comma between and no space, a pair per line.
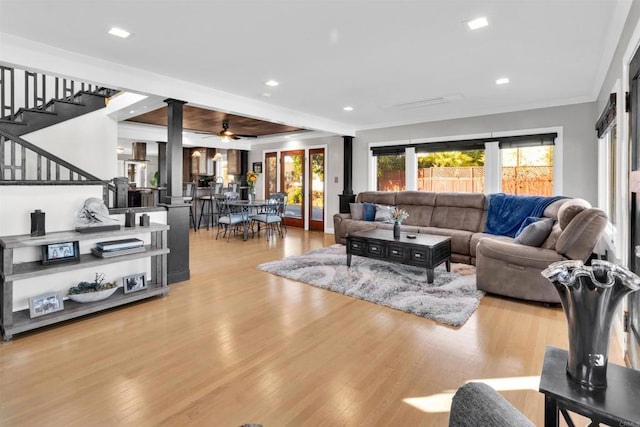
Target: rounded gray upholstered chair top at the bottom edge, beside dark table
477,404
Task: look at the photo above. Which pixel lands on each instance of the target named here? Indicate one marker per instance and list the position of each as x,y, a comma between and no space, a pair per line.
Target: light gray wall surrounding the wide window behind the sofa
580,149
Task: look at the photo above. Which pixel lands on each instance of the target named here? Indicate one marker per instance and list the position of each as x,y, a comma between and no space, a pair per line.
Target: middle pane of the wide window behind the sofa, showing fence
457,171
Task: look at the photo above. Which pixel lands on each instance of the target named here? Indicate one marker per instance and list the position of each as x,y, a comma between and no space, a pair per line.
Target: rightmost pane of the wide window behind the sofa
527,170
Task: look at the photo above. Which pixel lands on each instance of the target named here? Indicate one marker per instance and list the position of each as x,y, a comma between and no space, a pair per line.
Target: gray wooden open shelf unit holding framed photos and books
13,322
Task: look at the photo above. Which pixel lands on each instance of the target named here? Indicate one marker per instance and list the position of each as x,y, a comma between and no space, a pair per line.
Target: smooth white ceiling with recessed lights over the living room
371,55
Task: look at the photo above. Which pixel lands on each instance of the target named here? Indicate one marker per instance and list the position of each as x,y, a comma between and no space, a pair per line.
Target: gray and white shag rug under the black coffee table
451,298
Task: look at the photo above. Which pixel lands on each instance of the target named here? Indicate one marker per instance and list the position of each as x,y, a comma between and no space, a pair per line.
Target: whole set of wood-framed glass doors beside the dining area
301,175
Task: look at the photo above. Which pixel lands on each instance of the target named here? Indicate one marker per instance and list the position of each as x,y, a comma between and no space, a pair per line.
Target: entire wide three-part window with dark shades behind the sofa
516,164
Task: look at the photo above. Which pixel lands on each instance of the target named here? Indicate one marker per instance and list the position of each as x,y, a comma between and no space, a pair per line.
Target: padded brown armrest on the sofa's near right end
516,253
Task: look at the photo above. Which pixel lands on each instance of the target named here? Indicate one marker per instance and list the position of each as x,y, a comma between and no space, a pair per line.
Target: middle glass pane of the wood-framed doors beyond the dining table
292,178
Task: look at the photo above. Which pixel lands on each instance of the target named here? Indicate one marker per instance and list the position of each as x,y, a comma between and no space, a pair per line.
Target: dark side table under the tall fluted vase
618,405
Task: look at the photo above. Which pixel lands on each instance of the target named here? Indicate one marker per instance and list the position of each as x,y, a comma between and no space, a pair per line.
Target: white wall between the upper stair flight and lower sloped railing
88,142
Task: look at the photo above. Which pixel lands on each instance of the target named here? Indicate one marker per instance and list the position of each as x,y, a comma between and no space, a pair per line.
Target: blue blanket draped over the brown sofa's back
507,212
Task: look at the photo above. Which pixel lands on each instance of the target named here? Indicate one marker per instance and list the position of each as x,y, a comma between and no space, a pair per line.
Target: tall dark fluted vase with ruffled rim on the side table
590,296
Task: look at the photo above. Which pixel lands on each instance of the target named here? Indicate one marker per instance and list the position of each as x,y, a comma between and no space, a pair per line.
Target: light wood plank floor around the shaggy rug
235,345
